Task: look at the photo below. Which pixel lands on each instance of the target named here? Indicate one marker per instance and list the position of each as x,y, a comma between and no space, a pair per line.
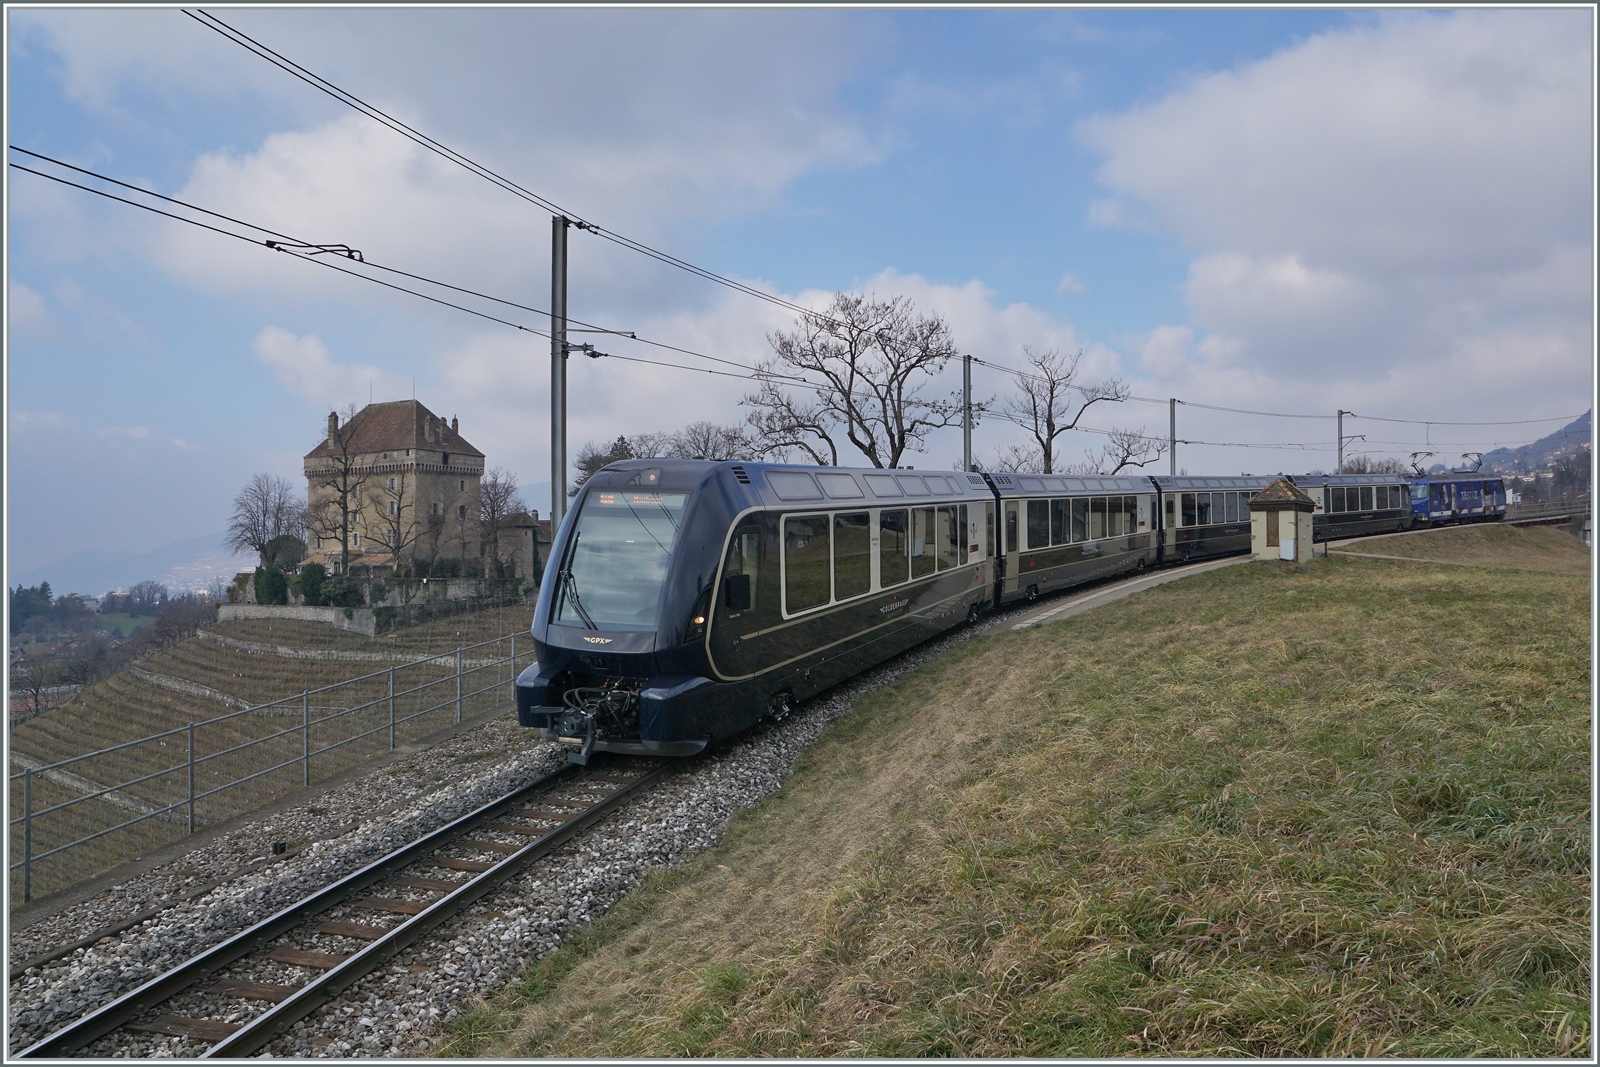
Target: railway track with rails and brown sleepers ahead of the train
326,943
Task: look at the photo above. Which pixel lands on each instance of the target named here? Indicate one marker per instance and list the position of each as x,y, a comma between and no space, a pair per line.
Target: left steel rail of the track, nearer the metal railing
108,1018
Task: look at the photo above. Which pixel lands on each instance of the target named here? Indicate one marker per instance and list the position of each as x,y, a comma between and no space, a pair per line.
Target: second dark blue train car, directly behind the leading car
1066,530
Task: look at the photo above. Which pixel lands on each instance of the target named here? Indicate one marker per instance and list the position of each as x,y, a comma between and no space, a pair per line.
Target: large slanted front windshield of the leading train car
618,561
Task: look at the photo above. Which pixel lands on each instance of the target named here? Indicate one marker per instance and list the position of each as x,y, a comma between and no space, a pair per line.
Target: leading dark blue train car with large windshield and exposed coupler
686,601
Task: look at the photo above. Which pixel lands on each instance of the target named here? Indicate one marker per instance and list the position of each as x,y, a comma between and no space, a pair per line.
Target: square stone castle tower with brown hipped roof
394,486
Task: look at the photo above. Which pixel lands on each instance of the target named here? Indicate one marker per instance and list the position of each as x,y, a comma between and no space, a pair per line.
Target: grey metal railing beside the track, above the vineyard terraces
74,825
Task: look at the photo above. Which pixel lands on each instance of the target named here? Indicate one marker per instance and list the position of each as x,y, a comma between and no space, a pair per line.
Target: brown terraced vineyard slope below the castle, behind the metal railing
218,681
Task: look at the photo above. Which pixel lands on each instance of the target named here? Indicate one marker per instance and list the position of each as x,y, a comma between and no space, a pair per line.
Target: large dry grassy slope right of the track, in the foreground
1270,810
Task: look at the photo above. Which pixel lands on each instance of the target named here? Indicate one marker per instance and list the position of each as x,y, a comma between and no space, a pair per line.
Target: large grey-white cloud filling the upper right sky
1407,204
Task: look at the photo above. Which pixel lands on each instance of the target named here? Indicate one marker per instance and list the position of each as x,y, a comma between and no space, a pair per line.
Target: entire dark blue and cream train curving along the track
686,602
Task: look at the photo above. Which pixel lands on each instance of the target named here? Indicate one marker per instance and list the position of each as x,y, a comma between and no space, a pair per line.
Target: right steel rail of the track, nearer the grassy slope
271,1025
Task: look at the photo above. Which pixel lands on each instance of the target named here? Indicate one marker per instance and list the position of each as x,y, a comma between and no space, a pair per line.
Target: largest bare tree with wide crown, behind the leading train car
871,361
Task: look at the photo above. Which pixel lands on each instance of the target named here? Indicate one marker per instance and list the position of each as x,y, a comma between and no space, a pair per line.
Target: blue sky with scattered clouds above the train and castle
1289,212
